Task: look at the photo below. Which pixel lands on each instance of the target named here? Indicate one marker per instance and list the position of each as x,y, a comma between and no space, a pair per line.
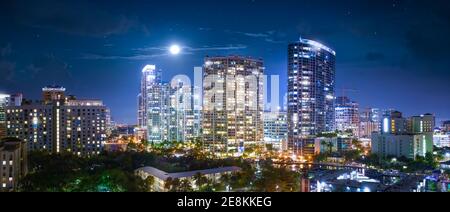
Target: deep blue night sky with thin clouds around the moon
390,53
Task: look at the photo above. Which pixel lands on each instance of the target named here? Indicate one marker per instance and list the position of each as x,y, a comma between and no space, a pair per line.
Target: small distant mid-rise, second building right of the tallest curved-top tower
369,122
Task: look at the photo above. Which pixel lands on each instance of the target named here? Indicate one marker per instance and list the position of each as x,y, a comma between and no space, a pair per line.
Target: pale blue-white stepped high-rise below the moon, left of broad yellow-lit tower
166,110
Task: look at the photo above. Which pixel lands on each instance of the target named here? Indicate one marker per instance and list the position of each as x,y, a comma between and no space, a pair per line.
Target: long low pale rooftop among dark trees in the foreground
164,175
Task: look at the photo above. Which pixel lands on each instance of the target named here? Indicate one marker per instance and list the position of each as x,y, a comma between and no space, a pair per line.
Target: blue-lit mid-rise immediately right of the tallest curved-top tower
347,115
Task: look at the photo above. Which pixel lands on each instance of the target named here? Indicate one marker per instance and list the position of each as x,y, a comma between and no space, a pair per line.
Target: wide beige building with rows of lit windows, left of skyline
59,124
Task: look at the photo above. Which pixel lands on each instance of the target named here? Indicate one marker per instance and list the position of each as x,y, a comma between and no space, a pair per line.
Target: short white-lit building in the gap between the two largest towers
275,129
